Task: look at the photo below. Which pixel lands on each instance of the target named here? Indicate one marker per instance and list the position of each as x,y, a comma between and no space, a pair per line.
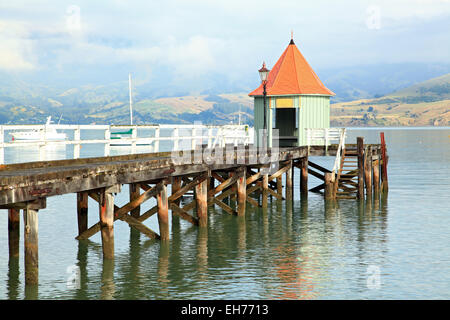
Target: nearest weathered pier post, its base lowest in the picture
30,218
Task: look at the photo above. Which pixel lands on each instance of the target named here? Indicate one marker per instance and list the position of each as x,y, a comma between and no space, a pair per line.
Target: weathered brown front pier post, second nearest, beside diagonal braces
106,206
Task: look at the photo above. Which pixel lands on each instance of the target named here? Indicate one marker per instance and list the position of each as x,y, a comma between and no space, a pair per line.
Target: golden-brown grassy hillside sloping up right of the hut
423,104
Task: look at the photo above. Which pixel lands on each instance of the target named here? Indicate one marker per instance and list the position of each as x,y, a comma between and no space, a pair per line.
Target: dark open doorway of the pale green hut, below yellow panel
285,122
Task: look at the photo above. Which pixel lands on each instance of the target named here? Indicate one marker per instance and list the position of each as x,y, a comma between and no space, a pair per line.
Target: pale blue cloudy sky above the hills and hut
192,38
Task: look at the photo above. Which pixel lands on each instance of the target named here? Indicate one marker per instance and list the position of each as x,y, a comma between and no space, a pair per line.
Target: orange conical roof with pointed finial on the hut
292,75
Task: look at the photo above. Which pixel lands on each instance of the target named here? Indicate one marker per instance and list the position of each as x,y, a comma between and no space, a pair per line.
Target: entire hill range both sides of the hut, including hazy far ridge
418,103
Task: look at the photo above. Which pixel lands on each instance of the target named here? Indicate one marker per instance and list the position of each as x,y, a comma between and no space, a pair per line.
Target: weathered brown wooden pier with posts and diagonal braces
231,178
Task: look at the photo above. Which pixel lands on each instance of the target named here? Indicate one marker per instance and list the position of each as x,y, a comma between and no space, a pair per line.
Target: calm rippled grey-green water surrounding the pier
298,250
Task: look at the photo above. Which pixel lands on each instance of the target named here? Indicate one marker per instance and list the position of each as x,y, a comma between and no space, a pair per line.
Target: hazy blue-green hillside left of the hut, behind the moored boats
92,106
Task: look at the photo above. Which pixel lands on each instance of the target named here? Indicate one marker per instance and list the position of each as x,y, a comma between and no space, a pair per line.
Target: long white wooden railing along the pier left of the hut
147,137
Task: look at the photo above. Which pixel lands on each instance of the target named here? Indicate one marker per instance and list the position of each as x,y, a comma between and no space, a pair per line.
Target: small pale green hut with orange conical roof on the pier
296,99
